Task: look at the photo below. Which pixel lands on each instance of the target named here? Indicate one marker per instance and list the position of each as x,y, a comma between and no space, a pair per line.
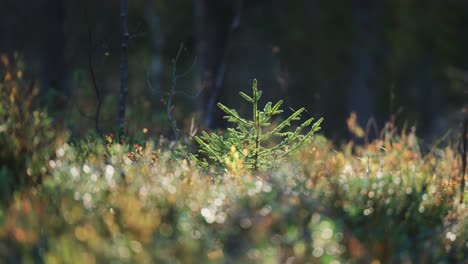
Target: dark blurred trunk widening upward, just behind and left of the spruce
215,21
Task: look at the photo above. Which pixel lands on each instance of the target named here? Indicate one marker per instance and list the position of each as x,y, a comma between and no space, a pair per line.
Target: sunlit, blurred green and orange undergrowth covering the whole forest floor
101,201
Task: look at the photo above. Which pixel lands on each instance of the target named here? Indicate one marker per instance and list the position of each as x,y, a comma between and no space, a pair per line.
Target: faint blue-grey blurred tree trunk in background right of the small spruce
361,91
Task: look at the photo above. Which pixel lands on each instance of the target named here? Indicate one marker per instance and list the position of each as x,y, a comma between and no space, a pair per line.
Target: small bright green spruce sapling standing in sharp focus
252,140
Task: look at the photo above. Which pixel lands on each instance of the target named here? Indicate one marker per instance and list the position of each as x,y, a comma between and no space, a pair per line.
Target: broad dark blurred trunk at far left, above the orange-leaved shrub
54,71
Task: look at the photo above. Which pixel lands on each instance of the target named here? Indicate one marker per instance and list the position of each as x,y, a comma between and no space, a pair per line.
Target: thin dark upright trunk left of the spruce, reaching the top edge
123,66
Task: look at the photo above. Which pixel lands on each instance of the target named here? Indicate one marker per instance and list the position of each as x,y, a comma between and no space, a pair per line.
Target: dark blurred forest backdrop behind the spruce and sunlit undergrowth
376,58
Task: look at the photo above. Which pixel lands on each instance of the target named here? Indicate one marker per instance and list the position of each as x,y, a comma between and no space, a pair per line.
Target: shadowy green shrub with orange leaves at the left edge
27,135
